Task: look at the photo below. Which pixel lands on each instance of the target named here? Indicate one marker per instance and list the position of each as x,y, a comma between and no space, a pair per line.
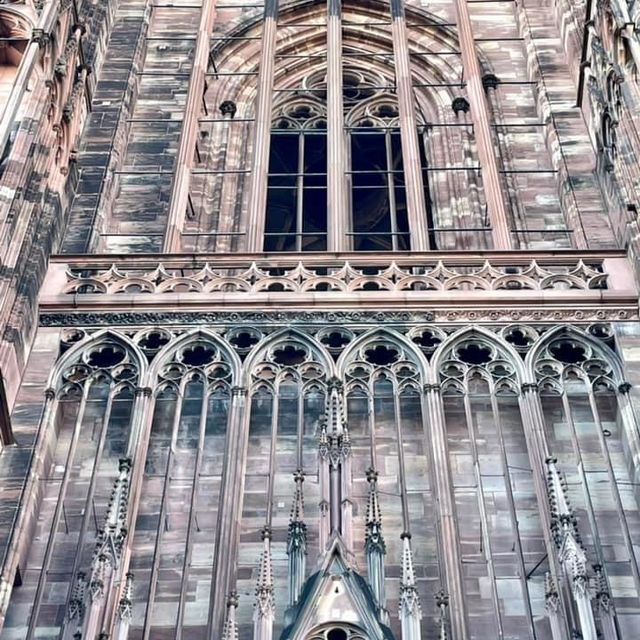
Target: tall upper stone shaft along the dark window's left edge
256,216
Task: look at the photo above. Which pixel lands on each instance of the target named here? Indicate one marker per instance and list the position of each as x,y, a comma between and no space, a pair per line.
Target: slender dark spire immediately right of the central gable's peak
374,545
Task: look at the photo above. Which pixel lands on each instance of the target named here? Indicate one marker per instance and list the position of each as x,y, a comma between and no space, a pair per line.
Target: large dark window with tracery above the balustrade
297,198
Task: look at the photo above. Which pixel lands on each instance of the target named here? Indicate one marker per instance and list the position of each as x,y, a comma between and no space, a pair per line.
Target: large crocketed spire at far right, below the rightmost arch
571,554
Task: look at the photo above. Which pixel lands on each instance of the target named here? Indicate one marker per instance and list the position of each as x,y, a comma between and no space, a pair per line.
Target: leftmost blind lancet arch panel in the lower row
81,527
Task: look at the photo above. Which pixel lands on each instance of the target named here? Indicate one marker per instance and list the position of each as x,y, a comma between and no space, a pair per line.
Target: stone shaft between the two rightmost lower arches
538,450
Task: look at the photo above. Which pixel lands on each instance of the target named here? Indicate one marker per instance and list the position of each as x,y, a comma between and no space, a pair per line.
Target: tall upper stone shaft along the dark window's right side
416,202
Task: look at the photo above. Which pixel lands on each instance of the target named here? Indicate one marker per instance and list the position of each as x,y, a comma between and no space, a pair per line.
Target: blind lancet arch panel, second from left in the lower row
175,535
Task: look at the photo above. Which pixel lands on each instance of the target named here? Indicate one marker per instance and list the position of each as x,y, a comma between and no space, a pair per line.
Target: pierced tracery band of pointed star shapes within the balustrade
260,278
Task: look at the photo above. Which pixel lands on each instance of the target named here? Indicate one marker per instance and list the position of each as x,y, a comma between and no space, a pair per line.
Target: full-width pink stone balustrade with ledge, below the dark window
491,286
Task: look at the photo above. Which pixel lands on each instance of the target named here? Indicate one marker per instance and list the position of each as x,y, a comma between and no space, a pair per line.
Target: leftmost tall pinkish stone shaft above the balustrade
188,137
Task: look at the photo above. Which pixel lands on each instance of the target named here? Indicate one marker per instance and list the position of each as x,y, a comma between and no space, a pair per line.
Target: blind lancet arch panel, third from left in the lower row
287,398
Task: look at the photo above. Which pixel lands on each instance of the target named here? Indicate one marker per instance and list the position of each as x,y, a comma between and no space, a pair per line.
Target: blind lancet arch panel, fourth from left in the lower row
383,379
